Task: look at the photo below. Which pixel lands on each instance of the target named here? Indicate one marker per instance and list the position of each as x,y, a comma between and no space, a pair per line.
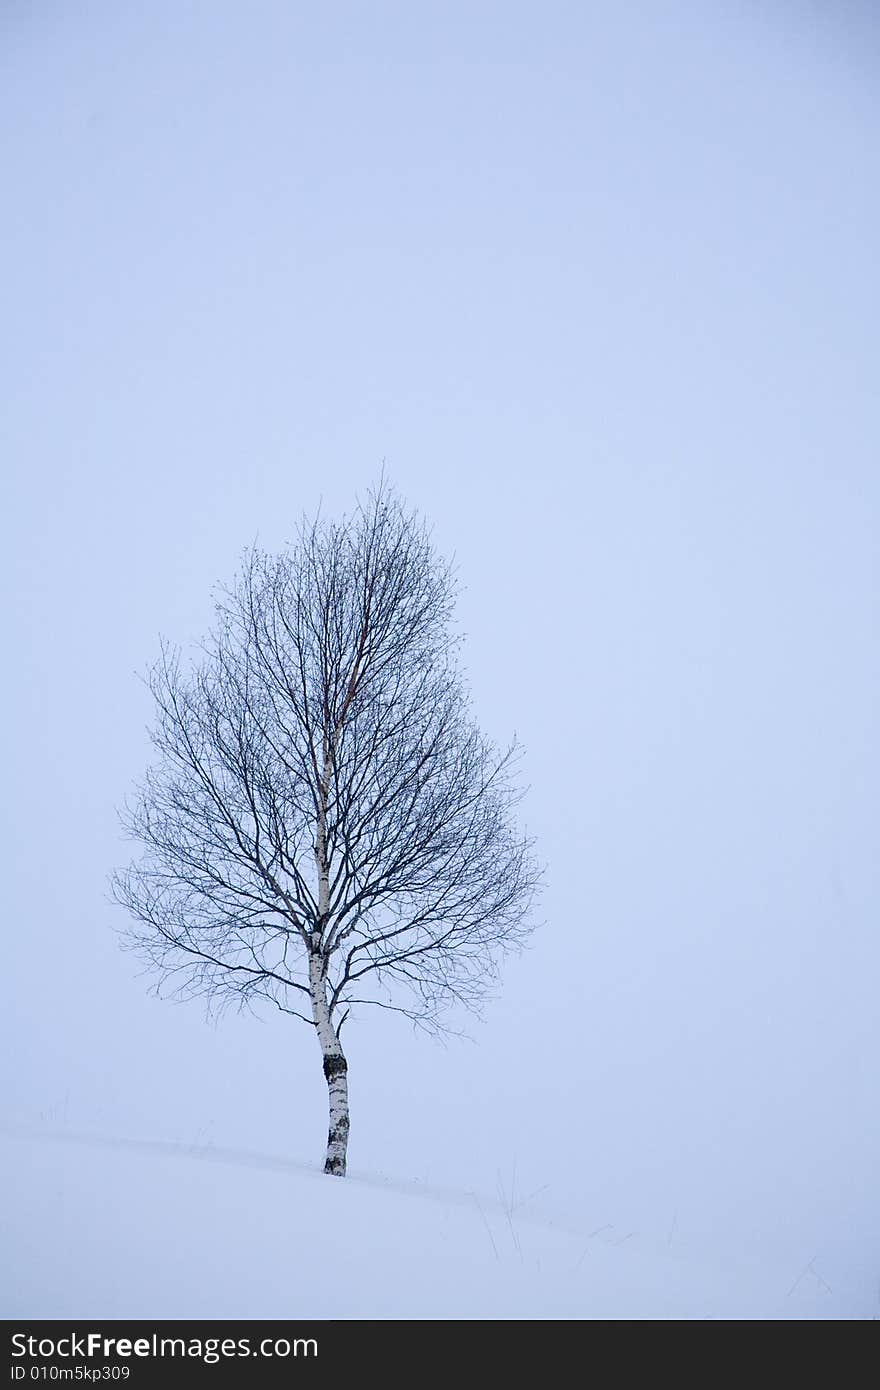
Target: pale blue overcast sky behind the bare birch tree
600,286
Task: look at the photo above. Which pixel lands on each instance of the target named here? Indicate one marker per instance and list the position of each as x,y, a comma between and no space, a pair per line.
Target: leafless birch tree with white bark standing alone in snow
325,826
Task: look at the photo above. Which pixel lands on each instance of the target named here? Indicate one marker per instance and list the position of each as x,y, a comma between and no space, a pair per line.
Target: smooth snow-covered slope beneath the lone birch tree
115,1228
